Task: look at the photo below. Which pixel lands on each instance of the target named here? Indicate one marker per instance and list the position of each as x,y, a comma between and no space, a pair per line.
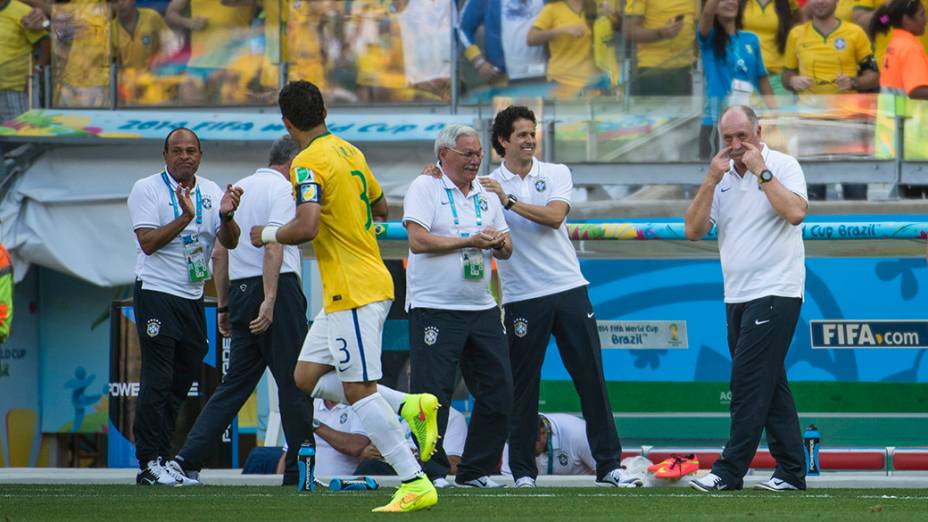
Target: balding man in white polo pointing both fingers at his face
757,199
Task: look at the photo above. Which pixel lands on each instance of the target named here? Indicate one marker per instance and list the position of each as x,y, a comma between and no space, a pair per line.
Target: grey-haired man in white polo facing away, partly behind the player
262,307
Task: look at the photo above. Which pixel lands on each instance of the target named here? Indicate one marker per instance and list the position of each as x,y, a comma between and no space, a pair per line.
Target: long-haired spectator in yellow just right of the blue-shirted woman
771,21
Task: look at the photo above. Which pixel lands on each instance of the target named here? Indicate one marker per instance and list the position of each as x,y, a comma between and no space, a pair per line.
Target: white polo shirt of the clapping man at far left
151,205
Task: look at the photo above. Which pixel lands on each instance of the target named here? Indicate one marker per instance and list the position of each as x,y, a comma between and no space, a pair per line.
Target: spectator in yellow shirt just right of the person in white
566,27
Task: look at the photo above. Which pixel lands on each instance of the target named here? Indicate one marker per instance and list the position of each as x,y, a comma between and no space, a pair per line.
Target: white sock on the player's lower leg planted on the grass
384,430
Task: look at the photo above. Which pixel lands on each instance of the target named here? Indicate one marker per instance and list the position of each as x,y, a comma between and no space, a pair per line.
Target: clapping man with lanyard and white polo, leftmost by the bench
176,217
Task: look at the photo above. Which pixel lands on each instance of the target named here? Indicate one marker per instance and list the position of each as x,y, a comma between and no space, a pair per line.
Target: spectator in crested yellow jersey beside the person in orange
827,55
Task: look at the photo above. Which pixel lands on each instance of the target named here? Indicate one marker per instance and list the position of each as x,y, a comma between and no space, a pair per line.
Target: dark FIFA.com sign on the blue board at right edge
869,334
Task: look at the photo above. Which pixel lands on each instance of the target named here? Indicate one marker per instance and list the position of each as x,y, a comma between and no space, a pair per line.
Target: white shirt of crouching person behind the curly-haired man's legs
568,450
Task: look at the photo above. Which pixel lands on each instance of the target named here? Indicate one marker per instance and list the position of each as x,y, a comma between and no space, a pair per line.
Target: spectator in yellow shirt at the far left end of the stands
17,47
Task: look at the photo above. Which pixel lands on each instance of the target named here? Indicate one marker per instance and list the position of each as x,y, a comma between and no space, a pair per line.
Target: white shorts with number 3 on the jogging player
349,340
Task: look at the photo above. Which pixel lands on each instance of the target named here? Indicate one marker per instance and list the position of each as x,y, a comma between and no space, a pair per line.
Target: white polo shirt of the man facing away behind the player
267,199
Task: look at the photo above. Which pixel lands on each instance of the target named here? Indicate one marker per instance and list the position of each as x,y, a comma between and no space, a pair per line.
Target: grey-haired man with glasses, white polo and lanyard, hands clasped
455,229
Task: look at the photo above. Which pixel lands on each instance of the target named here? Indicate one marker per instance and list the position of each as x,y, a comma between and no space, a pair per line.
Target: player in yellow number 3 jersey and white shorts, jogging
337,200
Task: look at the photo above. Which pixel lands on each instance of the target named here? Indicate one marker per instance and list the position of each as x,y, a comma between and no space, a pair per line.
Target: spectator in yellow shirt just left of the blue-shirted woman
664,32
